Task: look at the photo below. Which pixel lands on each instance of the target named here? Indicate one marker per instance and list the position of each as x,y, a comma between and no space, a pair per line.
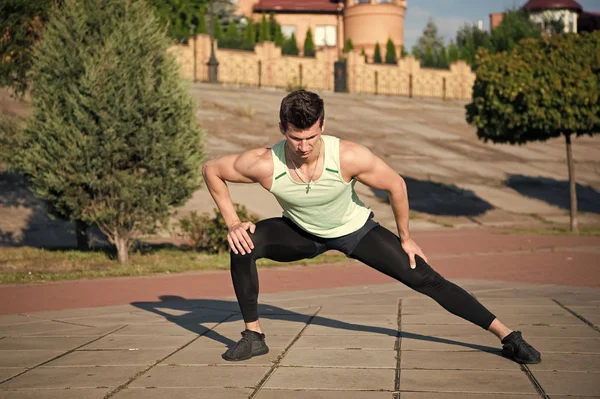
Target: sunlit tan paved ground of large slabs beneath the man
336,343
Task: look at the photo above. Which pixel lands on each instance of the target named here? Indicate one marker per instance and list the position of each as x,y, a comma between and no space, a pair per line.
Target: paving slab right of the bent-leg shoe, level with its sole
340,358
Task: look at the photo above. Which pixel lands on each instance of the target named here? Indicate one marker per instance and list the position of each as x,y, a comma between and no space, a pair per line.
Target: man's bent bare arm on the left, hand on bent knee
252,166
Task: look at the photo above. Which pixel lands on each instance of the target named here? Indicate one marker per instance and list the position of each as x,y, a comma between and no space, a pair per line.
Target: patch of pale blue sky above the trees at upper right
449,15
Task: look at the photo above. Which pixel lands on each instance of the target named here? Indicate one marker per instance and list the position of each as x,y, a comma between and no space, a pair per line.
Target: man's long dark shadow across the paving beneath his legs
192,312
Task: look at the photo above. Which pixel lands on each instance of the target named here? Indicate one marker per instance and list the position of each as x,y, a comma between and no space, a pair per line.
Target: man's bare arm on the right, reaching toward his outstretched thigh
359,162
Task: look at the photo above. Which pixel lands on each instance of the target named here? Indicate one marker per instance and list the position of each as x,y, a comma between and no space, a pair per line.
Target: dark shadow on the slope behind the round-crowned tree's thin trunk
555,192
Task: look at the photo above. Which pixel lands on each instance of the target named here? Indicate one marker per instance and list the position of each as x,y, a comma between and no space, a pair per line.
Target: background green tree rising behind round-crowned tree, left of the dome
515,26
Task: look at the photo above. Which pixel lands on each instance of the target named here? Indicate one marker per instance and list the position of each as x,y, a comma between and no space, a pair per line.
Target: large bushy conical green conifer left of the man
112,140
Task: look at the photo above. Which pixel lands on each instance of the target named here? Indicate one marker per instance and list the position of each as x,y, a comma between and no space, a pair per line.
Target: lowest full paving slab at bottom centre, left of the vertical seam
331,378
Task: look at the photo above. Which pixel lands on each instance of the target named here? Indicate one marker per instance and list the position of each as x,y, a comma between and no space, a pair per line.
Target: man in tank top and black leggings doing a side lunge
312,177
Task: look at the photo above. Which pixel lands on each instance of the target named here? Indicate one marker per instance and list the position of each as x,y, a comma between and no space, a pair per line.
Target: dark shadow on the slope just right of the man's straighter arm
441,199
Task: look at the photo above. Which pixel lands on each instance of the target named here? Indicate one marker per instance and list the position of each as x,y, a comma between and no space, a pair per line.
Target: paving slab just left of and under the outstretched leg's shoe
455,361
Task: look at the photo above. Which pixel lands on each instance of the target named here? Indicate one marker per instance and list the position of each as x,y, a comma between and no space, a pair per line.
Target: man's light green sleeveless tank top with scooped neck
331,207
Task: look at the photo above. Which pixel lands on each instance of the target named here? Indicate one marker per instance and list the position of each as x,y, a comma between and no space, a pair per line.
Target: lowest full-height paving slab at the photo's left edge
67,377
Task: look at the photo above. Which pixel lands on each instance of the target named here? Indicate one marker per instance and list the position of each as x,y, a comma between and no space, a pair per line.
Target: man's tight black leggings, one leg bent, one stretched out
281,240
